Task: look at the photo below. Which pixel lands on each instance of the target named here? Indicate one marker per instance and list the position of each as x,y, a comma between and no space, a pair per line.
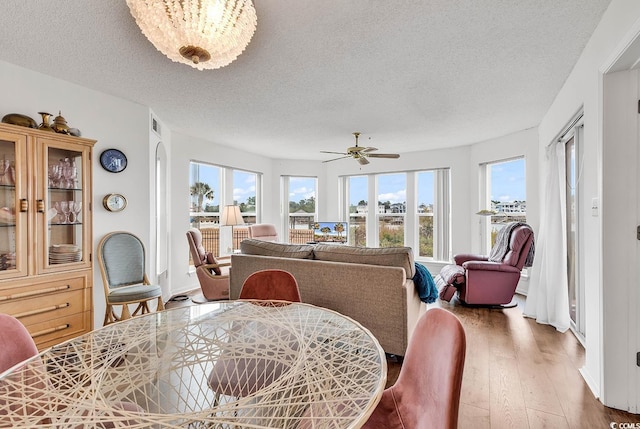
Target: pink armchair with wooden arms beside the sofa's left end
213,275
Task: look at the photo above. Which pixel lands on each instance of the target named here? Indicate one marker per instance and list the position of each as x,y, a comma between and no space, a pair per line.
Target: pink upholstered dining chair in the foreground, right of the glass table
426,394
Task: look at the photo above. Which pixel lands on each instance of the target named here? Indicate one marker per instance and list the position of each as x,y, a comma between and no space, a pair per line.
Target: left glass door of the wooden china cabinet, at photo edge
13,206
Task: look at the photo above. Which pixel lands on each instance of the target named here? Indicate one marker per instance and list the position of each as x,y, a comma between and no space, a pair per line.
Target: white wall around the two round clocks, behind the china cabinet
114,123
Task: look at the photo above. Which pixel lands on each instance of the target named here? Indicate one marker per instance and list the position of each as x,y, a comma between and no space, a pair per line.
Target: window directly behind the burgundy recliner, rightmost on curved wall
506,196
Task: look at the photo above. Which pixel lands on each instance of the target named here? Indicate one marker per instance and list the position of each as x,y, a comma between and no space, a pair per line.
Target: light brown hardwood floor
520,374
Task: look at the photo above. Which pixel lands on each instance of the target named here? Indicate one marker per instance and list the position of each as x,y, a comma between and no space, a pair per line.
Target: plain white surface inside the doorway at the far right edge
619,219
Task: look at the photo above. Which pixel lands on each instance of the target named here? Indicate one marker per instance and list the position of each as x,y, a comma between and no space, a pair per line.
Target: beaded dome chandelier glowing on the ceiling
205,34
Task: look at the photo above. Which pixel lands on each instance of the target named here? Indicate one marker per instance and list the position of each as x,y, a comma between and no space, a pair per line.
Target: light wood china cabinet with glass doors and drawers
46,271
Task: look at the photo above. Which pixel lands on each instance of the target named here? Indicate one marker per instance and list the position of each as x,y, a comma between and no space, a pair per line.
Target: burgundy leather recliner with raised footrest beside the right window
492,279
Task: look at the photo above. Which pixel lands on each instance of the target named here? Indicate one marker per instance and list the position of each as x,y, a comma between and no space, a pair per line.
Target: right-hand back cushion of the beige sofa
388,256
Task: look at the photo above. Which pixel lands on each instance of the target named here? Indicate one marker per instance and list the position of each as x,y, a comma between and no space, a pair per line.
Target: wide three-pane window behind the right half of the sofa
412,209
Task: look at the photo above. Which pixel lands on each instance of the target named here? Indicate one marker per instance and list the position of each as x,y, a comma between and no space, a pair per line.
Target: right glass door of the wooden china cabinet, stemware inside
64,206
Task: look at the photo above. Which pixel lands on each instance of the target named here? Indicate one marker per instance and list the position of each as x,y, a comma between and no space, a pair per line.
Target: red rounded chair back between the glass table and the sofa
271,285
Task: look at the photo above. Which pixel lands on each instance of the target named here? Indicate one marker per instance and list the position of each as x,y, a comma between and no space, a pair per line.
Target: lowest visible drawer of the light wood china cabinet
54,331
